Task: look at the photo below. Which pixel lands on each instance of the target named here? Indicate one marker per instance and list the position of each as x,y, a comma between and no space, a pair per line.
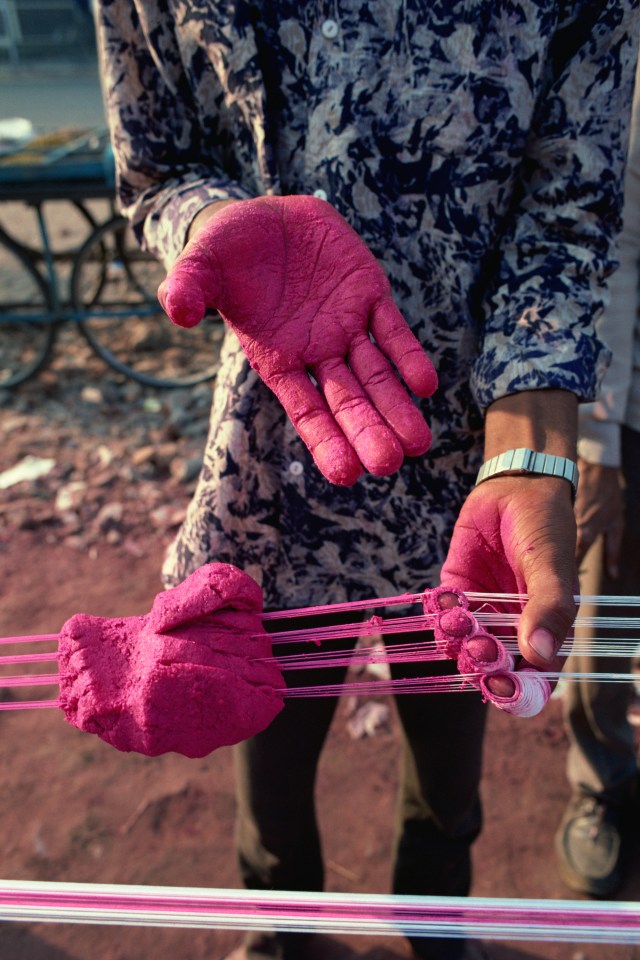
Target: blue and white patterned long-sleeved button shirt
477,146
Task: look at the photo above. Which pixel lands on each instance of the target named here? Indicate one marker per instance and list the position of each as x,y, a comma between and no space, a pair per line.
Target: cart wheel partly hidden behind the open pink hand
113,292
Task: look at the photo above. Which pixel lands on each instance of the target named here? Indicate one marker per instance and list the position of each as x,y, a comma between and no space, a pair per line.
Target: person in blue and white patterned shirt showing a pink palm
476,150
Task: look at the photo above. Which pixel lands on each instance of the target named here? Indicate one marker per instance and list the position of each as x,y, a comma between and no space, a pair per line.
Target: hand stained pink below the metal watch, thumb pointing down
517,535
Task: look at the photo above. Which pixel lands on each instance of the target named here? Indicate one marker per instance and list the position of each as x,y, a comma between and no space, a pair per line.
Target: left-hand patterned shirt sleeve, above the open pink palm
163,176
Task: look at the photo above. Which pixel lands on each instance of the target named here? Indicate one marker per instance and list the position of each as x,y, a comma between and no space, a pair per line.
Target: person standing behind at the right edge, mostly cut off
595,833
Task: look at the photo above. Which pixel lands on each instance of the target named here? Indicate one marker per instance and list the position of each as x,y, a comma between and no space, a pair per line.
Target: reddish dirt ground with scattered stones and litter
74,809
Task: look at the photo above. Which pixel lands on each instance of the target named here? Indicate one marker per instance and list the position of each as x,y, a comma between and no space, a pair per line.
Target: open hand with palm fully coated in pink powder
307,300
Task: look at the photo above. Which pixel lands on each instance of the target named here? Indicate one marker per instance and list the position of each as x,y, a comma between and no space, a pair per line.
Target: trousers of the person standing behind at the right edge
601,758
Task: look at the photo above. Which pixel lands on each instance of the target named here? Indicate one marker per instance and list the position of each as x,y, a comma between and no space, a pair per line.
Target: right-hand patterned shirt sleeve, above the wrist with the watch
560,245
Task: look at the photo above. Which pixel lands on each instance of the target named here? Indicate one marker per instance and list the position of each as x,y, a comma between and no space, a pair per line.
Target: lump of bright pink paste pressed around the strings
189,676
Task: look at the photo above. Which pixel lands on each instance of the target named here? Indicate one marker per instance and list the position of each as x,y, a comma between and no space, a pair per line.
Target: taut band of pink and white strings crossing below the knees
487,918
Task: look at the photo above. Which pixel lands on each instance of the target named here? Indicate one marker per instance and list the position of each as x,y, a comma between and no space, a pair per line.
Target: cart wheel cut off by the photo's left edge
27,327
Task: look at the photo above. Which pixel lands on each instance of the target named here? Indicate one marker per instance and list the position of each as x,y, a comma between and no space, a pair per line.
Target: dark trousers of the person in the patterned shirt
438,814
